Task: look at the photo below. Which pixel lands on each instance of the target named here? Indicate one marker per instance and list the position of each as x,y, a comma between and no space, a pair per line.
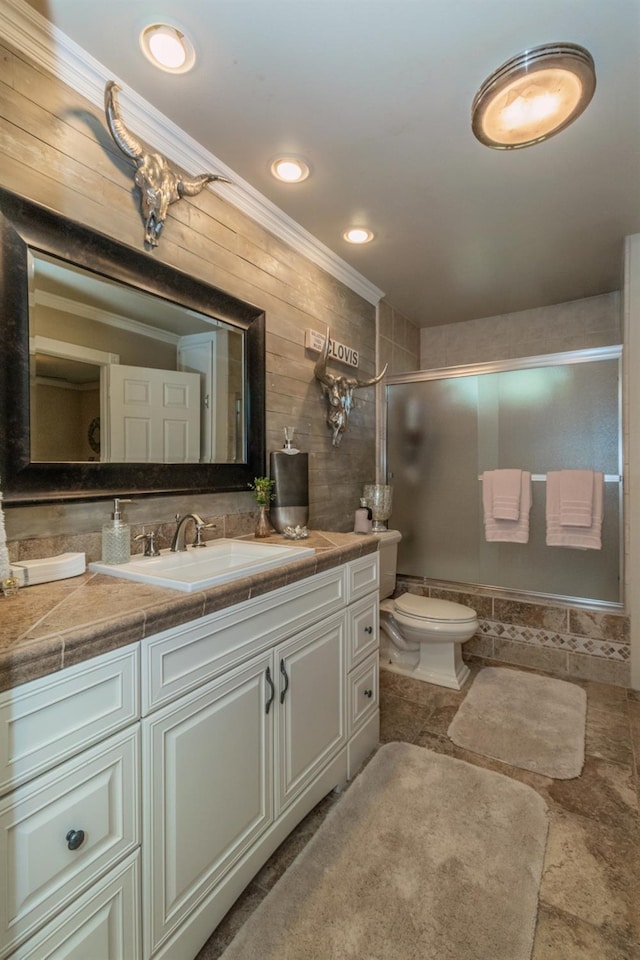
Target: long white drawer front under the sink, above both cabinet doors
179,660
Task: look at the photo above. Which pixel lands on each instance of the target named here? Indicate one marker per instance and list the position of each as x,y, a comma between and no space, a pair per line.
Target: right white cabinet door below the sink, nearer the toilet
311,705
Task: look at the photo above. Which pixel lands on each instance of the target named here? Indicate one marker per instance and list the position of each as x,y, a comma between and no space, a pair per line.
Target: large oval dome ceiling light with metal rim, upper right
533,96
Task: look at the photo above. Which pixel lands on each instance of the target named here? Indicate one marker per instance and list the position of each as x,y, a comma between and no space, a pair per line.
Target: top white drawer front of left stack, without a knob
49,720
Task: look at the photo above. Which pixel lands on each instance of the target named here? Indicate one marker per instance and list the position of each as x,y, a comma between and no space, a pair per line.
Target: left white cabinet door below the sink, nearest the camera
207,762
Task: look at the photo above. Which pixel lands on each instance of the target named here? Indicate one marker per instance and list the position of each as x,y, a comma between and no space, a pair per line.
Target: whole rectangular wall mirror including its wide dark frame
44,257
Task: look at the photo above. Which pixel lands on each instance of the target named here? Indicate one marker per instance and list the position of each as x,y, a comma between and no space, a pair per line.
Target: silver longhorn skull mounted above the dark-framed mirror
159,184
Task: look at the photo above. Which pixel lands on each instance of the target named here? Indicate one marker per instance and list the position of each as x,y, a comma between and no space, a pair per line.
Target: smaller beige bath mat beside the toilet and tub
536,723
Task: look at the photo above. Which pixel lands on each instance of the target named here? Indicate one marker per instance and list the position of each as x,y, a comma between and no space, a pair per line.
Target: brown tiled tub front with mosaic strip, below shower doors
575,641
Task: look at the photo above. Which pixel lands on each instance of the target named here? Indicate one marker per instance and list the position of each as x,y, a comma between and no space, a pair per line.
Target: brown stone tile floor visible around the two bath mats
590,891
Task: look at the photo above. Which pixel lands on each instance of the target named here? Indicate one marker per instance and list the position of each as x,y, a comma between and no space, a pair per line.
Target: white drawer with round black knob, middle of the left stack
40,871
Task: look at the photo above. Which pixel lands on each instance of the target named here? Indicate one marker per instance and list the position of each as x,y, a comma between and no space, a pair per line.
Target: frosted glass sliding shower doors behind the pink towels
445,427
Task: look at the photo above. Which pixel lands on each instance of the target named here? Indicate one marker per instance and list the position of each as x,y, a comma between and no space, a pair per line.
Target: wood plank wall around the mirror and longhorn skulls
55,149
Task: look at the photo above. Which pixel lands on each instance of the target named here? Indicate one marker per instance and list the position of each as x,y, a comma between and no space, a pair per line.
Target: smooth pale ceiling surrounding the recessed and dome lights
376,95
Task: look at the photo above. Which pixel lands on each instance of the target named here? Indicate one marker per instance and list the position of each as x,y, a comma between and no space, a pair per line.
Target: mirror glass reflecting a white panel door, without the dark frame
119,375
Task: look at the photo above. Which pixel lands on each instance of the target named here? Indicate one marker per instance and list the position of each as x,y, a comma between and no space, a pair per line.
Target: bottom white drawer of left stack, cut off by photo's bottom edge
104,922
